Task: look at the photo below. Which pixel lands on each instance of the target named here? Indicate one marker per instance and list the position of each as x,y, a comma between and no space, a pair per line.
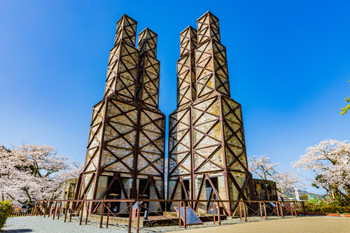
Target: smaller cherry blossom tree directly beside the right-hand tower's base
265,169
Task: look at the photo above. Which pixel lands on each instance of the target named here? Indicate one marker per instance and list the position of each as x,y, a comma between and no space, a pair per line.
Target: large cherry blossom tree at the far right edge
330,163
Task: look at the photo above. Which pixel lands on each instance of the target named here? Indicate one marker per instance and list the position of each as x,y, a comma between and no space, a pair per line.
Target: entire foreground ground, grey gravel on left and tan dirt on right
288,224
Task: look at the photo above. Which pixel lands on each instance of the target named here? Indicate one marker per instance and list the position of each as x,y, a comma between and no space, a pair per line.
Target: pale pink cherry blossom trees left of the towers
33,172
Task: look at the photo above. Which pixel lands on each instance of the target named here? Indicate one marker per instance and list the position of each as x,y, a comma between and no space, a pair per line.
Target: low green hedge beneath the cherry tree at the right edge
324,207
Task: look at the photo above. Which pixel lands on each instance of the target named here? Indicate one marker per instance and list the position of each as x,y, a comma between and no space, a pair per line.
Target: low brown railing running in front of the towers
130,214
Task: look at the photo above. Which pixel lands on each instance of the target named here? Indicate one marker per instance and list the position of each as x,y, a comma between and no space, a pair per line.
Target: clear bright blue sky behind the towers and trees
289,63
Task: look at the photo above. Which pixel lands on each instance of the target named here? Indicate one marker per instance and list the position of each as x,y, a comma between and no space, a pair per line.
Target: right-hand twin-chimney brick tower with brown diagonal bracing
207,151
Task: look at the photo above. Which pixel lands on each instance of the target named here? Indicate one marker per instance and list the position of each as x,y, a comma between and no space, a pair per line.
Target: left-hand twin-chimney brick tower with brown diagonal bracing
125,152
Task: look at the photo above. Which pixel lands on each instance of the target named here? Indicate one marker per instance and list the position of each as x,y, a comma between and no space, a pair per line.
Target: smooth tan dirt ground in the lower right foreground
292,225
